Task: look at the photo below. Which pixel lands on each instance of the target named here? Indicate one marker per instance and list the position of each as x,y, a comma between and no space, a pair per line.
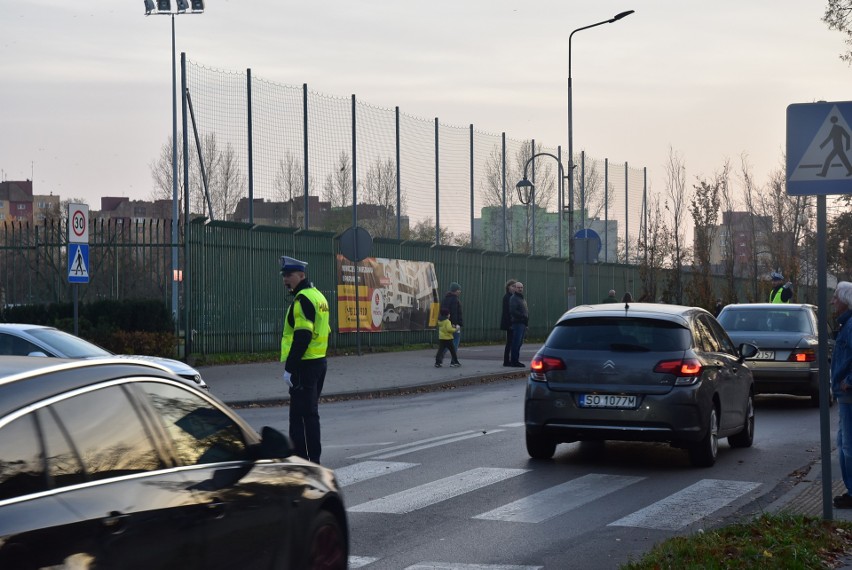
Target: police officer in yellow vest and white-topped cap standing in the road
303,347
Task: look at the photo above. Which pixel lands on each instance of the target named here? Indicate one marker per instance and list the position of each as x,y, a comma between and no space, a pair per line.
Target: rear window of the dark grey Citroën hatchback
619,333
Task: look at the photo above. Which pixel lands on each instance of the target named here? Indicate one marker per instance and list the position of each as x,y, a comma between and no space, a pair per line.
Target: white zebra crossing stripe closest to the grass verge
688,505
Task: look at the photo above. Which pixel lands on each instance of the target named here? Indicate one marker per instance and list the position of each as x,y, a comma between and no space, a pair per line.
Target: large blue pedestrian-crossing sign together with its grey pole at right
819,163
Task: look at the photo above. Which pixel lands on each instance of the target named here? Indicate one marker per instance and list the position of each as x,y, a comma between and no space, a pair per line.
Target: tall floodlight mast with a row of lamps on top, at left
164,8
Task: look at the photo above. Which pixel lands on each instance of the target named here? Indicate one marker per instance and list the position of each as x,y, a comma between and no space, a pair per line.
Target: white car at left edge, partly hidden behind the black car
37,340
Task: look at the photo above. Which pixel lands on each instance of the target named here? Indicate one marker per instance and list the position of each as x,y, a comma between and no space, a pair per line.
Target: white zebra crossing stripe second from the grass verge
559,499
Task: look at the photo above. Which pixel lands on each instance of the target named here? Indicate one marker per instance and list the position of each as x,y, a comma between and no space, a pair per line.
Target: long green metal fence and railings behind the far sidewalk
233,299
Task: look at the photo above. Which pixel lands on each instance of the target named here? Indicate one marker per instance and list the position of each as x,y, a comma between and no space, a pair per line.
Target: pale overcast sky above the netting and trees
85,103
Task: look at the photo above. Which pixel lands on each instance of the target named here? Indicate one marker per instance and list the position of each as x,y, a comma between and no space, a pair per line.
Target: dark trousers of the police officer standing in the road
304,408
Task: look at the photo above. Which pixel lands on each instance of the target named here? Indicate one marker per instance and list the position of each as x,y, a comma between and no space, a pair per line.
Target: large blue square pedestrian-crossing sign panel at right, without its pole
819,148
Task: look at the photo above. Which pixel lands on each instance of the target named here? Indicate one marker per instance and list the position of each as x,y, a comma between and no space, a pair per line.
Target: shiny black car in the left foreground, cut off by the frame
116,463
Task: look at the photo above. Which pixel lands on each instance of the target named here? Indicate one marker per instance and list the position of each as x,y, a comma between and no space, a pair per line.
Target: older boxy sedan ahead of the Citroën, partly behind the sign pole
787,336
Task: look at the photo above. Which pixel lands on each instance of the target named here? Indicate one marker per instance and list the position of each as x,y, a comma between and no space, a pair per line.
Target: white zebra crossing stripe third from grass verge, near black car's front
437,491
